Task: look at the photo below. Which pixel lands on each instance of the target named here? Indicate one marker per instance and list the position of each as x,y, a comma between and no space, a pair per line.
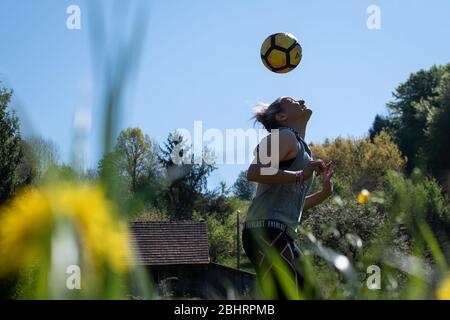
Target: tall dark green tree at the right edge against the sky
417,103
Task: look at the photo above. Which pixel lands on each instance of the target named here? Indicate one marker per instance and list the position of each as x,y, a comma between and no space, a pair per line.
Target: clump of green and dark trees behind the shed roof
151,179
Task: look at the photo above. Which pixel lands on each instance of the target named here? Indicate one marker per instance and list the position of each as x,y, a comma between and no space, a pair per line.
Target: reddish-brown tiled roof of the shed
168,243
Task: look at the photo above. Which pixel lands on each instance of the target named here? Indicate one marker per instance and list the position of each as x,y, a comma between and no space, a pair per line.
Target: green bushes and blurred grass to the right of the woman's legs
403,229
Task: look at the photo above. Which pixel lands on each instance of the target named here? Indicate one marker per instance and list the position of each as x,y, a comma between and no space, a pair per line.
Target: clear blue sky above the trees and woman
201,62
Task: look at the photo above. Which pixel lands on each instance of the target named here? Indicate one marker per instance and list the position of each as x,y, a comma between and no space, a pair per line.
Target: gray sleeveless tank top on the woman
284,202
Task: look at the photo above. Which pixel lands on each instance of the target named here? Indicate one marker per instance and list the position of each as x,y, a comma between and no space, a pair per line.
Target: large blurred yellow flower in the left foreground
27,222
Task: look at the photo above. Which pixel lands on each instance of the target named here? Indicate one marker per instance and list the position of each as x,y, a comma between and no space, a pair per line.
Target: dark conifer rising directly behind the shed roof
186,177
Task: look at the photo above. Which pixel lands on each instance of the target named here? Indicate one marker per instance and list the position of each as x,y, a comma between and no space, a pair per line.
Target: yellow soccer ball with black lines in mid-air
281,52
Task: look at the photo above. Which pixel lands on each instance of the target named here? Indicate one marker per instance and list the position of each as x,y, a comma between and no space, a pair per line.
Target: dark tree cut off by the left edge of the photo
10,147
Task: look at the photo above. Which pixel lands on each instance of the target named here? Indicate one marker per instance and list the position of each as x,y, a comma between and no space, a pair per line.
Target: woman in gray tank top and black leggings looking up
284,169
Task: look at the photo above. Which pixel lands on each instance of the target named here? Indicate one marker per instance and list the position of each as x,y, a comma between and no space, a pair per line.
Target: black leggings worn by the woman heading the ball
257,243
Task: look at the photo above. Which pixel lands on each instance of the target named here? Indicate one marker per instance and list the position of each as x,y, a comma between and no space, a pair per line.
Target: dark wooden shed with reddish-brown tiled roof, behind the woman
177,256
